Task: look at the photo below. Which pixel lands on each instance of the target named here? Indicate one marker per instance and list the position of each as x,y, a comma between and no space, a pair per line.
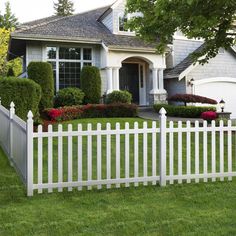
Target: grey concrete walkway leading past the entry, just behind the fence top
150,114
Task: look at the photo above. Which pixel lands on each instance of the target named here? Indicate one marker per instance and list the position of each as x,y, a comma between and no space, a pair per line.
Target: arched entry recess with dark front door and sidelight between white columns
133,77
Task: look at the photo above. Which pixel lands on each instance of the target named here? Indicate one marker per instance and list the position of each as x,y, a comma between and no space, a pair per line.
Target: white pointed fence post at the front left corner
30,150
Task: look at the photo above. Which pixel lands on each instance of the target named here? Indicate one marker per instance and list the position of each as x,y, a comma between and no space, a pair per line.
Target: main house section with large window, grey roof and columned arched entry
94,38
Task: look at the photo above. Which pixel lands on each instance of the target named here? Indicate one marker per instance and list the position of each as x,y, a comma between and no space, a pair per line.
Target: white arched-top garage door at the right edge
219,88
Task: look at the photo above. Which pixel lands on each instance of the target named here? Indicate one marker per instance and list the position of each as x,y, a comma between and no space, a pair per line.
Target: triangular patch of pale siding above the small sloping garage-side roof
182,48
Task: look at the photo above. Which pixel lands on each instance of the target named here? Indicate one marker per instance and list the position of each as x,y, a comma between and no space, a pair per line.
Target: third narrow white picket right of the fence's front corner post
60,153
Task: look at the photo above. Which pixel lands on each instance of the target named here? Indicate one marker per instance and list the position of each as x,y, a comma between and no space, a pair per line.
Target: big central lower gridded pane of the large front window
69,74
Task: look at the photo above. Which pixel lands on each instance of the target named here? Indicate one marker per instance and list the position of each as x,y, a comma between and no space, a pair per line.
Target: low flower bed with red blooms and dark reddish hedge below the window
91,111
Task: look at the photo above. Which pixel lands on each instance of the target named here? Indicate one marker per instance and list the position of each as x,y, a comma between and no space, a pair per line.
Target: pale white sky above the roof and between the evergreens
28,10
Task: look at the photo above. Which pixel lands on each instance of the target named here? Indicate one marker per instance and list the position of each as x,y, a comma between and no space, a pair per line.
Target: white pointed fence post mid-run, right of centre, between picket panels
162,161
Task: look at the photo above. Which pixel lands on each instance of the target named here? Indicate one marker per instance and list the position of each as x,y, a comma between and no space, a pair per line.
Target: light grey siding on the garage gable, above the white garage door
223,65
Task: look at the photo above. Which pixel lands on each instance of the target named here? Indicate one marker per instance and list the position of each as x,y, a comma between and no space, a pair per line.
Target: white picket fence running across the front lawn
115,156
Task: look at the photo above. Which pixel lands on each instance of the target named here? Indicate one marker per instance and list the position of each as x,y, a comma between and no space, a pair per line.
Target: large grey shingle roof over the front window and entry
83,26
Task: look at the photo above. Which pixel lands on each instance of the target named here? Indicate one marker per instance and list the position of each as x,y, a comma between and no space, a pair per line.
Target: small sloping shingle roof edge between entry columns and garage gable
182,66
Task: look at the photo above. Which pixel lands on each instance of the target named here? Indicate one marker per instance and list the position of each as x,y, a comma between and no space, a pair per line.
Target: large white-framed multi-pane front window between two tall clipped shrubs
67,63
